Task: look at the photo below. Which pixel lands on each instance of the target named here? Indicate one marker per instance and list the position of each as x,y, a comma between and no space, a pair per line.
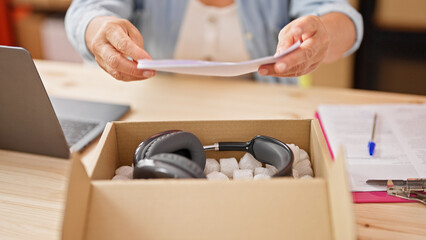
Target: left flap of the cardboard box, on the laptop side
76,202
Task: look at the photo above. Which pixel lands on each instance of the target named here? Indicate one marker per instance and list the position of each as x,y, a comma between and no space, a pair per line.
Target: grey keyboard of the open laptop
74,130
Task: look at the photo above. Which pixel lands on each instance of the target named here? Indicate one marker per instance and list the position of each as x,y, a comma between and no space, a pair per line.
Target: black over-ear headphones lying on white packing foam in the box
180,154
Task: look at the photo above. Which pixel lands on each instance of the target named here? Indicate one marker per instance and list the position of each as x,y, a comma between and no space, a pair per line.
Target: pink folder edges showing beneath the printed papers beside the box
364,197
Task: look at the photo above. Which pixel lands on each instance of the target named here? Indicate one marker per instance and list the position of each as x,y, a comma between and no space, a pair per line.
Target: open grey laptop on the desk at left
32,122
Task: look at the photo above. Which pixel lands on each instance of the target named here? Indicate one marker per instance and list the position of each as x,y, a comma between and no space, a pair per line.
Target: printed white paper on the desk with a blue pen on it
400,139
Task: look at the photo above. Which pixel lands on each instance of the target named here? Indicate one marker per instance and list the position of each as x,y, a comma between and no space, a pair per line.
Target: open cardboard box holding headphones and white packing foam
279,208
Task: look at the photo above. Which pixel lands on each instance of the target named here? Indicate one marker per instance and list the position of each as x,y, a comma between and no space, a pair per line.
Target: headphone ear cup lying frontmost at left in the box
167,165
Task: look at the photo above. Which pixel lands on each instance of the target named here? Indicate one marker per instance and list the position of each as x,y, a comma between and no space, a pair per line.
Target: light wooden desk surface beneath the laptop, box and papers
32,191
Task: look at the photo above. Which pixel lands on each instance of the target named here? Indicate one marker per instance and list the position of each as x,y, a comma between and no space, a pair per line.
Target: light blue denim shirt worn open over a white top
160,20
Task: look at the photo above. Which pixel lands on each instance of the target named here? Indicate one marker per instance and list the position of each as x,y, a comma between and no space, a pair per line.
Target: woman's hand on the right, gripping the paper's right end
315,43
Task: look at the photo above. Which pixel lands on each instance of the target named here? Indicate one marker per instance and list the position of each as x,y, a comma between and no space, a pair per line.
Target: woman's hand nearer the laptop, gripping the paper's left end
111,40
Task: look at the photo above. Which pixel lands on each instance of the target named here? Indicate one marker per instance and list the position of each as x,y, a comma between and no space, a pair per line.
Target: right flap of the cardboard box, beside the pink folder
341,208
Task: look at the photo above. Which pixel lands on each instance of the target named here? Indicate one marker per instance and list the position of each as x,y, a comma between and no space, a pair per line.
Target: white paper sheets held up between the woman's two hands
208,68
